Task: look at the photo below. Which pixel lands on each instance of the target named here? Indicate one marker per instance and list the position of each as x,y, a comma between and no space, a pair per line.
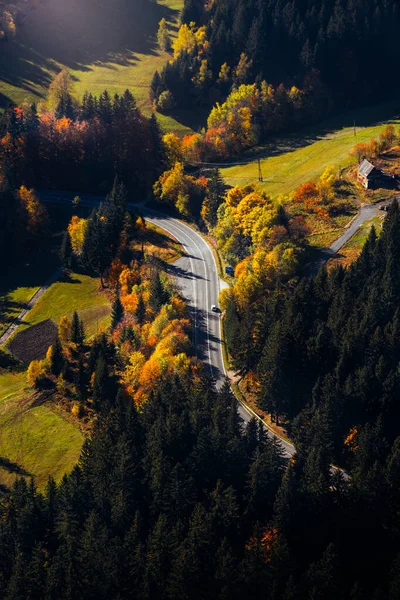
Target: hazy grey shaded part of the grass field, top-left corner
77,35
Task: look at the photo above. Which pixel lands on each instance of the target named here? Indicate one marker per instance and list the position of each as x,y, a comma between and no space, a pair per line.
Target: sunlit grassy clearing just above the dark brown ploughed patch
76,292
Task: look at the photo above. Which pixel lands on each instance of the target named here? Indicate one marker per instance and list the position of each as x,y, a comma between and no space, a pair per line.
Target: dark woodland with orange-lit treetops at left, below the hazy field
71,146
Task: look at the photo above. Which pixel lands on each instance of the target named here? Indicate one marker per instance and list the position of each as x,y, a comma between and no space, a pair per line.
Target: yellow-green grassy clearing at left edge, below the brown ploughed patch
34,439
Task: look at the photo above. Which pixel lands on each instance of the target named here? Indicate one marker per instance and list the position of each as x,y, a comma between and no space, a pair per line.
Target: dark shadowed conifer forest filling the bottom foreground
176,501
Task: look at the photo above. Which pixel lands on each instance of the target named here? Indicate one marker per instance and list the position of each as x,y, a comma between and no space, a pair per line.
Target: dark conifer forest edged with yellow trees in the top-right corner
304,60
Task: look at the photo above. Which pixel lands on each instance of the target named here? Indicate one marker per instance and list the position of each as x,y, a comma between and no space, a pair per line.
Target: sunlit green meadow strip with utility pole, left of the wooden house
301,160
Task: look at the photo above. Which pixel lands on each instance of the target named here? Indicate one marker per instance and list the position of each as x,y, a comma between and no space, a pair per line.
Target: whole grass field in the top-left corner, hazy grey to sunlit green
110,45
